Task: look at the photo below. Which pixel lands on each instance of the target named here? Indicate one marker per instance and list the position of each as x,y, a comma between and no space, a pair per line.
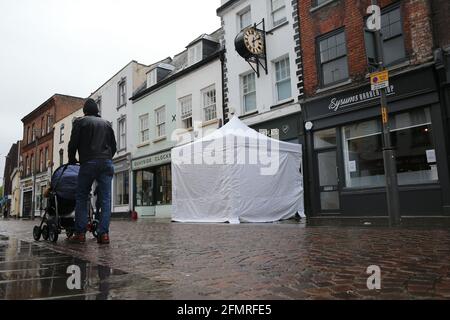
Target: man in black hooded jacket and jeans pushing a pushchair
94,139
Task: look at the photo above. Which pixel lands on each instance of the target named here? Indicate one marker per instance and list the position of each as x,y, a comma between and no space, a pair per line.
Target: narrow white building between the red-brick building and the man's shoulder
61,137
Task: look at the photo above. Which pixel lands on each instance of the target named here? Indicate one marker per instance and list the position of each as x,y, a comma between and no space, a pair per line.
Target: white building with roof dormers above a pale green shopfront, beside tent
188,94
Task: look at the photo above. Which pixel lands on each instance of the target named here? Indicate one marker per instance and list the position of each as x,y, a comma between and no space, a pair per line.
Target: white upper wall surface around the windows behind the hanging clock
279,44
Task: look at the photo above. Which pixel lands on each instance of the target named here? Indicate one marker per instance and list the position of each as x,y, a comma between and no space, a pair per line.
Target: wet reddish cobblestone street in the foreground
150,259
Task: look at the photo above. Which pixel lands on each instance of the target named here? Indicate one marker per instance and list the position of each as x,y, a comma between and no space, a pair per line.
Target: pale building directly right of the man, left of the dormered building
113,100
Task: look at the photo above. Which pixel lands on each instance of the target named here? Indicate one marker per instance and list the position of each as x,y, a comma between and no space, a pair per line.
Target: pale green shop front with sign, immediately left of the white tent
153,185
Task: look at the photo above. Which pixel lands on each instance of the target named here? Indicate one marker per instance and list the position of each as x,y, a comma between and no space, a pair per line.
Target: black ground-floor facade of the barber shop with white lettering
344,172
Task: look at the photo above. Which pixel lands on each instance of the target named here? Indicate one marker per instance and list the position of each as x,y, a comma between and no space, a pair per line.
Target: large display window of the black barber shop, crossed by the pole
411,133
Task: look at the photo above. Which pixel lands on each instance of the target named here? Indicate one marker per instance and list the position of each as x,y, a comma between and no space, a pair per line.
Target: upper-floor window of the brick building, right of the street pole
393,43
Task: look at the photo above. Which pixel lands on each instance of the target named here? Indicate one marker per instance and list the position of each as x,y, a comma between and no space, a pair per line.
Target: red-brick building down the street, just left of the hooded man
37,148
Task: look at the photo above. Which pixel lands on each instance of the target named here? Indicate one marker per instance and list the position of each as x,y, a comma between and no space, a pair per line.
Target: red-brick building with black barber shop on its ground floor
344,170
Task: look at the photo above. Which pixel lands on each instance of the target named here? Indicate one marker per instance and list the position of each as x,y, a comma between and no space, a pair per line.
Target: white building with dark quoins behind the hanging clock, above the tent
270,102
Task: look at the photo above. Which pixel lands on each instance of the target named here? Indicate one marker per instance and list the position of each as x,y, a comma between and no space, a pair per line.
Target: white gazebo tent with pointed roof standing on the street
236,175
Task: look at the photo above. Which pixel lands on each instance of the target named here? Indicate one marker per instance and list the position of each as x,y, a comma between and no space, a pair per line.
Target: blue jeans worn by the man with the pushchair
102,171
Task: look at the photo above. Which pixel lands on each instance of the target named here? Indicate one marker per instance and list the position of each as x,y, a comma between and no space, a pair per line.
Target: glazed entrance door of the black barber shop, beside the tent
328,186
